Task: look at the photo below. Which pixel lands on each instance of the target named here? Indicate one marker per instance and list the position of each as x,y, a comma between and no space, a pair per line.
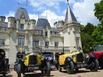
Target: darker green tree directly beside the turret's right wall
86,36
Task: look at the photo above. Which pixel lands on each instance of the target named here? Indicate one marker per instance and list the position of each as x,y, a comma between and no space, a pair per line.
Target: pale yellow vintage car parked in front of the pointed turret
74,60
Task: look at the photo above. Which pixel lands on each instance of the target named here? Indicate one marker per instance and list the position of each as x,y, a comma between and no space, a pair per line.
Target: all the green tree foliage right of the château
93,35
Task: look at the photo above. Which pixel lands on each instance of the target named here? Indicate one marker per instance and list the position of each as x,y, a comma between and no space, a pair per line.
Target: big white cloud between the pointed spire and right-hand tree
84,11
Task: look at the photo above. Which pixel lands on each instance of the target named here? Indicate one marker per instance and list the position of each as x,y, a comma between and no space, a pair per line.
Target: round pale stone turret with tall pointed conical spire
70,30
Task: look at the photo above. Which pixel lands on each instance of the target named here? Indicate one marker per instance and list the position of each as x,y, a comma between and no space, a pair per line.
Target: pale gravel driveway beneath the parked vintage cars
80,73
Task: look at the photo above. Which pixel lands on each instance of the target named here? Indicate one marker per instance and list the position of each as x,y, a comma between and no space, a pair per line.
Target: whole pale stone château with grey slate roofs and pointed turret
34,36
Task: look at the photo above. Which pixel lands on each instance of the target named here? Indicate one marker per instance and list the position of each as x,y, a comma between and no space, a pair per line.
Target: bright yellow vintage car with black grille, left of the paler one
30,63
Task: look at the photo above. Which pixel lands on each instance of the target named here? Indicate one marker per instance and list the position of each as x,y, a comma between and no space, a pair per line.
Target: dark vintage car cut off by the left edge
4,63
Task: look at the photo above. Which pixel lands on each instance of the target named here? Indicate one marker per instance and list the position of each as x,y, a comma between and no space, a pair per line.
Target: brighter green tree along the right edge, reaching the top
98,33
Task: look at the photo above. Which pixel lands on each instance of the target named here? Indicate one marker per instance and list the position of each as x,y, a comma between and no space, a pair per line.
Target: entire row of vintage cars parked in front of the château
71,61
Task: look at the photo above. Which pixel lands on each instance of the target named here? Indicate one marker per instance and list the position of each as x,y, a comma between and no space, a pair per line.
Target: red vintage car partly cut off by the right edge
97,51
